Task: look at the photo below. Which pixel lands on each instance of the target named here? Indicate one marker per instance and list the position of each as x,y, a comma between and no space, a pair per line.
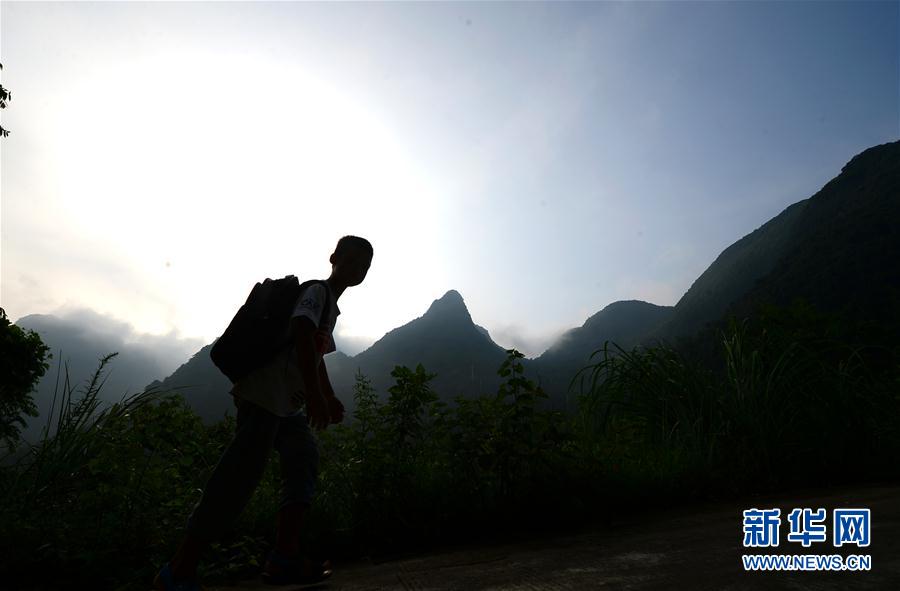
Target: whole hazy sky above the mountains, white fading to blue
544,160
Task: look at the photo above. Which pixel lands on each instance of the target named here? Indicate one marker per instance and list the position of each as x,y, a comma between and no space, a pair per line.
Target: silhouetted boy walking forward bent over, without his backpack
269,414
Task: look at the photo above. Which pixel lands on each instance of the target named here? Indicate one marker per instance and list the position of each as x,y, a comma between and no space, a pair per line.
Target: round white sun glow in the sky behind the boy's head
200,170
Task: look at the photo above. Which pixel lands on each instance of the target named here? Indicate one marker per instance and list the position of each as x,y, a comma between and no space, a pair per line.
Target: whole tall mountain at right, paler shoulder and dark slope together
838,250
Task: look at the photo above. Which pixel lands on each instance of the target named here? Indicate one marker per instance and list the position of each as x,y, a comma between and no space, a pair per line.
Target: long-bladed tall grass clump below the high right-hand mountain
780,410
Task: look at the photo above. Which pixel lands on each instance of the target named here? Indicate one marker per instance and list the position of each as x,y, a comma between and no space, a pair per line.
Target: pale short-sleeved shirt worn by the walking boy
278,386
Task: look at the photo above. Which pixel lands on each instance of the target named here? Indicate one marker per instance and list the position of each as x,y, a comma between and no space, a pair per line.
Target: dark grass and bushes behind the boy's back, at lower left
95,494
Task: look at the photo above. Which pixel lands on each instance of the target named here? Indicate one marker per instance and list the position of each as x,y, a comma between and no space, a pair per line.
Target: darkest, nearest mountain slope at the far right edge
844,250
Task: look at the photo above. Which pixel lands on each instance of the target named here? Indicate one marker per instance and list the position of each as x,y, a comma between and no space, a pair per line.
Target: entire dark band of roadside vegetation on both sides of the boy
780,402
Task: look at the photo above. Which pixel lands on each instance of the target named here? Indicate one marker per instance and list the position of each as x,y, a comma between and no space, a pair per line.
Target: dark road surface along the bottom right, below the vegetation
694,548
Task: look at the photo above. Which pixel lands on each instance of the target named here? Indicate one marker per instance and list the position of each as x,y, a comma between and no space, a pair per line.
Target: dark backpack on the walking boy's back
261,328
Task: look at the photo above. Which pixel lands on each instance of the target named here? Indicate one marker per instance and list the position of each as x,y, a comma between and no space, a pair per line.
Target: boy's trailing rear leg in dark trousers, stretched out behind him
230,486
